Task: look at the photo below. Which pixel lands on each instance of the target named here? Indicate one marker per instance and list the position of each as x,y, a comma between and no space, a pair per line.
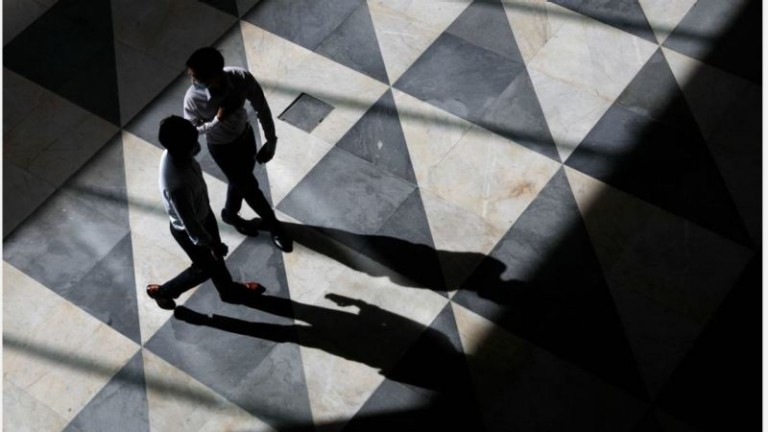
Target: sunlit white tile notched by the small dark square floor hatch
350,93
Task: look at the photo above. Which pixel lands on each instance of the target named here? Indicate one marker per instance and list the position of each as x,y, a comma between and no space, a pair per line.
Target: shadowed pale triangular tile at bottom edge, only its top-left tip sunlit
520,386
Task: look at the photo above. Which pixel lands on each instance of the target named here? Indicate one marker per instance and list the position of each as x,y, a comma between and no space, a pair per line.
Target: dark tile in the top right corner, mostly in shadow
726,35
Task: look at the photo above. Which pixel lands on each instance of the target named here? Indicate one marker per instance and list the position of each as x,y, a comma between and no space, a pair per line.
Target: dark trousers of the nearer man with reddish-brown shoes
204,265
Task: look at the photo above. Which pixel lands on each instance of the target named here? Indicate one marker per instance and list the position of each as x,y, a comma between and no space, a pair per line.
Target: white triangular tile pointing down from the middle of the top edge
405,29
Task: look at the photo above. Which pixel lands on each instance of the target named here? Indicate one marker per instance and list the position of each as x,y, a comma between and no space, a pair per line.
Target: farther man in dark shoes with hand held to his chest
215,104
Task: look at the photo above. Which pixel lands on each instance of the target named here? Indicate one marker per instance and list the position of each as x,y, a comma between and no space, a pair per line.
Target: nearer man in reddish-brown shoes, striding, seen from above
193,224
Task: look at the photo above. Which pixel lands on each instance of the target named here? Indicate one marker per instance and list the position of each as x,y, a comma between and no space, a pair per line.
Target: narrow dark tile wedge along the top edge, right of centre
626,15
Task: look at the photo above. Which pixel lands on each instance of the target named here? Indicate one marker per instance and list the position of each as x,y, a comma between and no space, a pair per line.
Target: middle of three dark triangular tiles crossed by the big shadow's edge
648,144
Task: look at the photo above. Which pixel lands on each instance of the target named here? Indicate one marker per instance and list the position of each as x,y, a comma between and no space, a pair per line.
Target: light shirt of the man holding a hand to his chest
201,105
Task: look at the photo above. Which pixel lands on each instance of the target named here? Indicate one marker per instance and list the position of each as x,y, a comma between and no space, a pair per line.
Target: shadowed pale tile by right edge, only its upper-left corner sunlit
710,92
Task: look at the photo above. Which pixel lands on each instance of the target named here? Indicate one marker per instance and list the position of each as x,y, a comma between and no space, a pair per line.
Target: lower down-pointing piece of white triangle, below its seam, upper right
571,111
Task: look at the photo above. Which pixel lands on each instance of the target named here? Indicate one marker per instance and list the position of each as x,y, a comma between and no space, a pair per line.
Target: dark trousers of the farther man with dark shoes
237,160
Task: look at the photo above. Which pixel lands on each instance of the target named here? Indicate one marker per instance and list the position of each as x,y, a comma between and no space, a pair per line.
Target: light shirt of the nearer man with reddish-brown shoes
185,197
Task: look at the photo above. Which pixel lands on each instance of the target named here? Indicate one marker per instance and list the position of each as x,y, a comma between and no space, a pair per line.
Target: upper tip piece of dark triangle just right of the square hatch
378,138
